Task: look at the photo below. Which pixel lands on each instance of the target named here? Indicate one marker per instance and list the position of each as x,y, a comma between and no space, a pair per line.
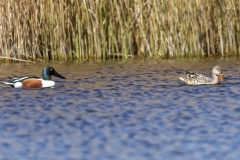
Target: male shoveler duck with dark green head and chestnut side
34,82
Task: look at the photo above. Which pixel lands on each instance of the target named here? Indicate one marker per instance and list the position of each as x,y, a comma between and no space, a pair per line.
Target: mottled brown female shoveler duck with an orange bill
197,79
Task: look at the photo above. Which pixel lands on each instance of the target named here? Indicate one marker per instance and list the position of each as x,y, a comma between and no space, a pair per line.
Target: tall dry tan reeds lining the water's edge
68,29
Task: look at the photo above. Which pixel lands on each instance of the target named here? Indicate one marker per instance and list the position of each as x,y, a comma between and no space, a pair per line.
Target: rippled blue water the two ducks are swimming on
122,110
